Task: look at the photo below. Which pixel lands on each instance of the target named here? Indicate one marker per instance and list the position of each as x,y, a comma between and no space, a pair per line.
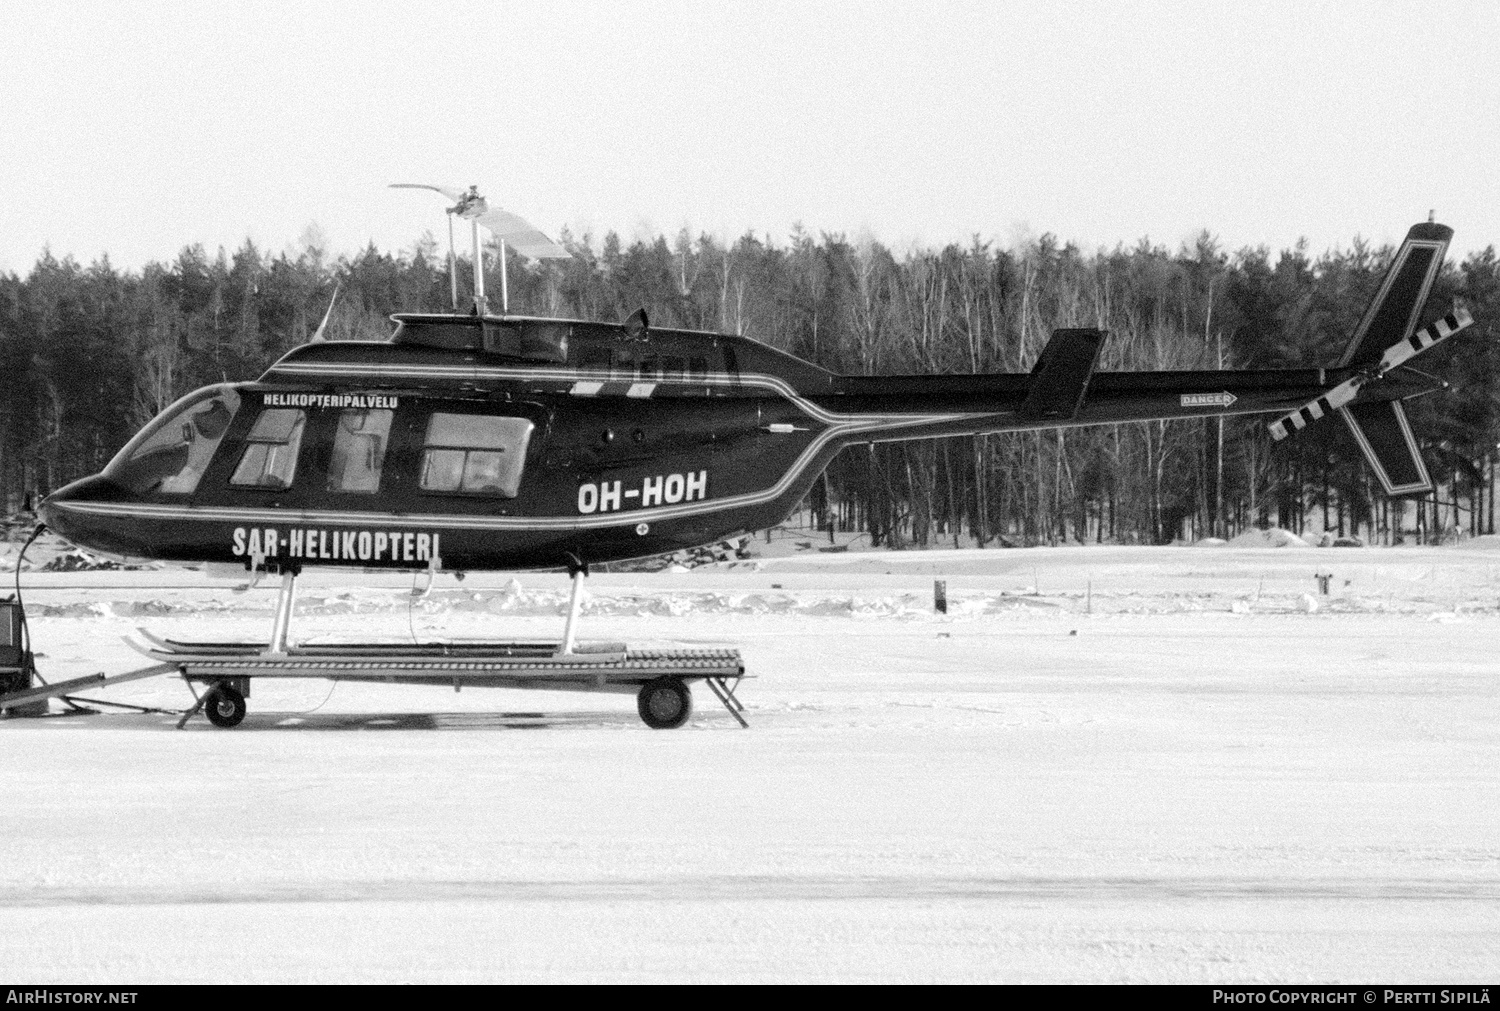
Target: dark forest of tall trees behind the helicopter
89,355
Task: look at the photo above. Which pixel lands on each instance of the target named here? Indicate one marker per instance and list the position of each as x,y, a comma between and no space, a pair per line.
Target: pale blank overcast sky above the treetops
136,130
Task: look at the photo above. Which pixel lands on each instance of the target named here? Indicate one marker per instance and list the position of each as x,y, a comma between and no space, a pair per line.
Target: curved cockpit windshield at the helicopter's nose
172,454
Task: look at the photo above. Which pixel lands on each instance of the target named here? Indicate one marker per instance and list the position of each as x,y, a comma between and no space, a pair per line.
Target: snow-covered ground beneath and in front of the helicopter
1106,764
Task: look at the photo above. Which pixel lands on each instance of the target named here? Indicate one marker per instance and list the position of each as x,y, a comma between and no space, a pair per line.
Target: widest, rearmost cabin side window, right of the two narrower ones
475,454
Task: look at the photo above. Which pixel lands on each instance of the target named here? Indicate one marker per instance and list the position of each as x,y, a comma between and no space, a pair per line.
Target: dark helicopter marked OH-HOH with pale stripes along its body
494,442
